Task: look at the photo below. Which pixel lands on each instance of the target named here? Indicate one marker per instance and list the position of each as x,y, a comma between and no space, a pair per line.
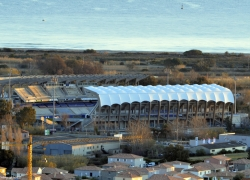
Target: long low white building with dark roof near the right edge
217,147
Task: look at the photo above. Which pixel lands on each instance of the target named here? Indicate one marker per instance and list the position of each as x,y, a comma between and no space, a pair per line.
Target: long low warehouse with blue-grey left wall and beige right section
80,148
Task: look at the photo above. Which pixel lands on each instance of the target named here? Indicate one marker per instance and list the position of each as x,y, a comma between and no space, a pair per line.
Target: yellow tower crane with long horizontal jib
83,140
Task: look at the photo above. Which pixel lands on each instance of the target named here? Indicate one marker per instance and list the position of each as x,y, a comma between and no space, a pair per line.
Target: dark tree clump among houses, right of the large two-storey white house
177,152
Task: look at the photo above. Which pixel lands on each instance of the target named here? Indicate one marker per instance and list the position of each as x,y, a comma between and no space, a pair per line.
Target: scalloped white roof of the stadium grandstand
127,94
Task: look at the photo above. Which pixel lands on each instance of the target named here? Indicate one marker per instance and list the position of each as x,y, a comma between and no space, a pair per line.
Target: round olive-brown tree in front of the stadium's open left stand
26,116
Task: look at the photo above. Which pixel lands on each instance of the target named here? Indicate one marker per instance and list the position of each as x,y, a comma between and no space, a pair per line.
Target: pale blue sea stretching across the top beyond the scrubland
127,25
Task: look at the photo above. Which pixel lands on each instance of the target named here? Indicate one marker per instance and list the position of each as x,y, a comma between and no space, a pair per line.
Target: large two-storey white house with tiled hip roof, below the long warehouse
131,159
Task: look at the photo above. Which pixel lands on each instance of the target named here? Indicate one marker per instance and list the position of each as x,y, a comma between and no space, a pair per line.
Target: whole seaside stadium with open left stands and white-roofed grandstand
111,101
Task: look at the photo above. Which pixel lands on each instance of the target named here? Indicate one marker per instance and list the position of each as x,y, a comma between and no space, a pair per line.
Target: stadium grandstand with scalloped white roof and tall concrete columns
160,104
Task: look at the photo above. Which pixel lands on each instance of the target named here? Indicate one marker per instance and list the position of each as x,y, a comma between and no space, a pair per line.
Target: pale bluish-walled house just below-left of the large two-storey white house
88,171
